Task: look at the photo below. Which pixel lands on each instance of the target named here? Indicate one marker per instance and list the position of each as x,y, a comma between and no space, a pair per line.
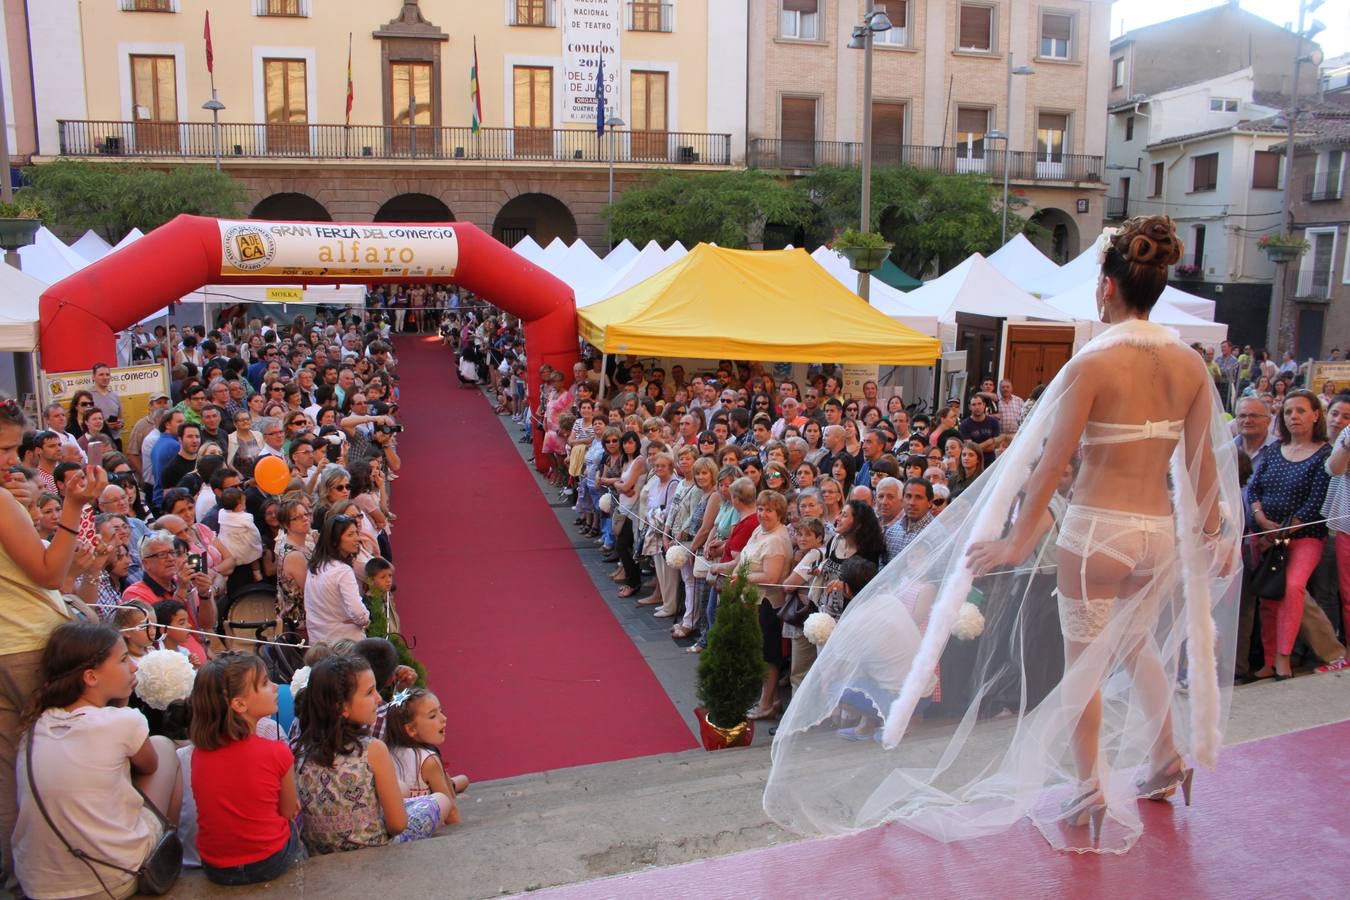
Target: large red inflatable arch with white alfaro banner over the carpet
80,315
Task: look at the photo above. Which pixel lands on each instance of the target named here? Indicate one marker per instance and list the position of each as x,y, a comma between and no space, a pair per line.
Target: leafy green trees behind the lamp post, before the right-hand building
935,221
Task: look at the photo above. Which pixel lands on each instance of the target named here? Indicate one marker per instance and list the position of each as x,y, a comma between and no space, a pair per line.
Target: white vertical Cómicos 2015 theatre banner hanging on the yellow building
592,30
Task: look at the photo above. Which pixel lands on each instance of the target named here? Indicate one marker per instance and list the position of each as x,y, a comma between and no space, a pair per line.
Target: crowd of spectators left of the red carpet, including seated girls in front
122,540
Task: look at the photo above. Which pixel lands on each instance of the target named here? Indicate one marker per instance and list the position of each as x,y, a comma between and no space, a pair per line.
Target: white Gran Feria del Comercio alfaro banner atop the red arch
317,249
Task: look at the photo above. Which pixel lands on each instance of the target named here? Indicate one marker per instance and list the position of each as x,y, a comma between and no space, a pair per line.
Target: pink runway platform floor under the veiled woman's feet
1274,821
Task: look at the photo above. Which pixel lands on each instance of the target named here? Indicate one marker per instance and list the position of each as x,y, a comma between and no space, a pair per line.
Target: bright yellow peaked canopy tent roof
751,304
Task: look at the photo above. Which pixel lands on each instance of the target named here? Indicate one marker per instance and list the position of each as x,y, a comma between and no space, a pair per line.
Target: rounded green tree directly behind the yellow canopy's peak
727,208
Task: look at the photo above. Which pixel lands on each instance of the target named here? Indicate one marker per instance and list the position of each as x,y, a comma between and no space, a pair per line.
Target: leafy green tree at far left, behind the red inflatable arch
113,199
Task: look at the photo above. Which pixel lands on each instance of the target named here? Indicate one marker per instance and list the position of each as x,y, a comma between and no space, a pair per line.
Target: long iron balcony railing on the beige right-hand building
776,153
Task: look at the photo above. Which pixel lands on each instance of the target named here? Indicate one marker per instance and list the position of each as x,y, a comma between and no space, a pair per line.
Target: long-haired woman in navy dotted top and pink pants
1287,490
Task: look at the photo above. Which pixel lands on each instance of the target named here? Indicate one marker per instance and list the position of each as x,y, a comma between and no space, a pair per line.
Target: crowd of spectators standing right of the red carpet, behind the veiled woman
799,481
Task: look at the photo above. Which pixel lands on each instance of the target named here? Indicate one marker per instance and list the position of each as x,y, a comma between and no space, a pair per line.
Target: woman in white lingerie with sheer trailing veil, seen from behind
1145,561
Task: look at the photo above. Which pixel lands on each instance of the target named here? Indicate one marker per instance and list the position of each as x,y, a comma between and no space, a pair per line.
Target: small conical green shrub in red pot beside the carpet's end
731,671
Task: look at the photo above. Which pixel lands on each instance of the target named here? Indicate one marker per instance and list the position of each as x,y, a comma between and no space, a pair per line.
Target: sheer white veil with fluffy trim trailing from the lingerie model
993,744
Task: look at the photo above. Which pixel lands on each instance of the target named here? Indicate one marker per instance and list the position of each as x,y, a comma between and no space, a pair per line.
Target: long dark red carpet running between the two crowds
530,665
